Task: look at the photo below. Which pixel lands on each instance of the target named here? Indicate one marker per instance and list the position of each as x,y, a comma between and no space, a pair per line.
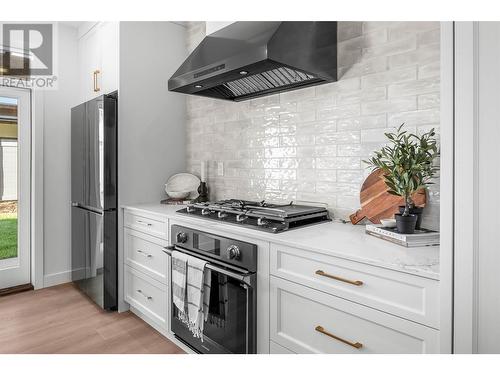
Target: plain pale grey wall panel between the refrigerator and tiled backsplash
151,120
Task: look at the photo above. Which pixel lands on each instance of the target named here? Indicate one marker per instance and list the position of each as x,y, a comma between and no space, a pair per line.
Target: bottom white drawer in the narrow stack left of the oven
146,295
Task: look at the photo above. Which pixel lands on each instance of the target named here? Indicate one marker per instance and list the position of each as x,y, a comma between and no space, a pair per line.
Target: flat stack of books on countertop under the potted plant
422,237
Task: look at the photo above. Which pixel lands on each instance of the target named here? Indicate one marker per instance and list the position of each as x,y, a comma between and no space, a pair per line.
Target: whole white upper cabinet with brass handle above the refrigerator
98,59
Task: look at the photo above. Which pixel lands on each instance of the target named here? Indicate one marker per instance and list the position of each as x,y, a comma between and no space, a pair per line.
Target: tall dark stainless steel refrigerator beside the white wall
94,199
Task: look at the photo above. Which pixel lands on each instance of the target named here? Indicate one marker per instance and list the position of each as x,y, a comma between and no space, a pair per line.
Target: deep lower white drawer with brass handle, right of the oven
298,314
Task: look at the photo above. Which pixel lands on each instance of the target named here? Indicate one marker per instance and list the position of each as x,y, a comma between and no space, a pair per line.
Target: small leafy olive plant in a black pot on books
408,165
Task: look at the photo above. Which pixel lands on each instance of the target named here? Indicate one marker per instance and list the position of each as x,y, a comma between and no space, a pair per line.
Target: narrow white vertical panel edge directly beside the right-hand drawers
446,184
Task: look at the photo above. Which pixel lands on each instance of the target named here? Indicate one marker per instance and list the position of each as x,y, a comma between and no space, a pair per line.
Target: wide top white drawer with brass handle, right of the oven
412,297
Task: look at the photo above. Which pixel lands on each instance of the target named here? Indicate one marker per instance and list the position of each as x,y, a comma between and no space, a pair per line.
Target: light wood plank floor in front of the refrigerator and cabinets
61,319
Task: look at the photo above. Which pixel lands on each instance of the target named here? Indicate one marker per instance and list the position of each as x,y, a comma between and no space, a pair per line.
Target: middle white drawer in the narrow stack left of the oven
145,253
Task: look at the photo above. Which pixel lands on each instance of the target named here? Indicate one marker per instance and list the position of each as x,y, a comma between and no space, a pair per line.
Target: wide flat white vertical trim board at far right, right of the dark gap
465,315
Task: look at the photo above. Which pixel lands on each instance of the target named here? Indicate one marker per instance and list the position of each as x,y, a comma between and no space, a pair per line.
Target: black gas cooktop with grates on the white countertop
263,216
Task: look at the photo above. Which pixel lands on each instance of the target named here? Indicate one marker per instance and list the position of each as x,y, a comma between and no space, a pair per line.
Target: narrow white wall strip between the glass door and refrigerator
56,165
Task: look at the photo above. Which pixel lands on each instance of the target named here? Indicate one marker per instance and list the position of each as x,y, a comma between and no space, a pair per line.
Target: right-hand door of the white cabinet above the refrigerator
109,60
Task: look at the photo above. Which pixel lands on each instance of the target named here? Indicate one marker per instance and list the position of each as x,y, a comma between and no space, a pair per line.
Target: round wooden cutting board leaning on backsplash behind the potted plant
377,203
